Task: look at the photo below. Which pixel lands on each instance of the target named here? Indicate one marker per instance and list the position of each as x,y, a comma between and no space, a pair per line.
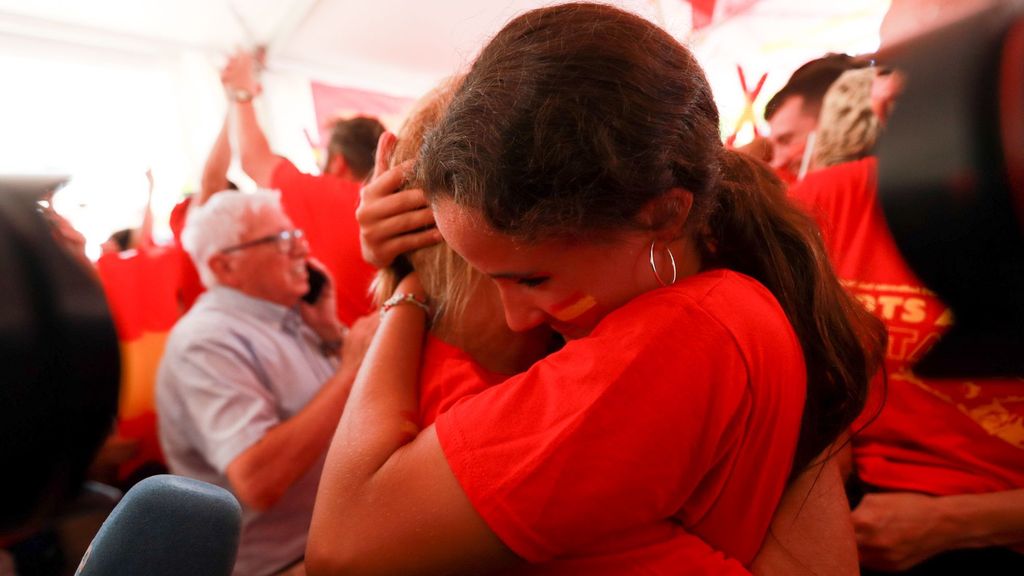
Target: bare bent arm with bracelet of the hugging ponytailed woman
389,503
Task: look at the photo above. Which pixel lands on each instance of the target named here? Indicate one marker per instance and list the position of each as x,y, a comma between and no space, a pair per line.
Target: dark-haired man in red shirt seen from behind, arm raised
324,207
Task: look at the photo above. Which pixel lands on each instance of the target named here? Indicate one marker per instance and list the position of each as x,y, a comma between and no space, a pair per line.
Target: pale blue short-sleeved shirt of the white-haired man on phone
235,367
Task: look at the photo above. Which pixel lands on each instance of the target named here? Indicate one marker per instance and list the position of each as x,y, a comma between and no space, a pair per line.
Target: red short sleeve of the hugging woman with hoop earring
591,450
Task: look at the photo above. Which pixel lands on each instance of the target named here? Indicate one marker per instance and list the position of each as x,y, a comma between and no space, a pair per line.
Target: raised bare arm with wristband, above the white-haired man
241,86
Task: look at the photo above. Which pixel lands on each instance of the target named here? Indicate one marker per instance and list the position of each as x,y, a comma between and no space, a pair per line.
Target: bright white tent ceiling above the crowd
103,90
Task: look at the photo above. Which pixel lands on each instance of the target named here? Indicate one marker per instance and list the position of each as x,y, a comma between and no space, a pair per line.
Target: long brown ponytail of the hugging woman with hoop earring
754,229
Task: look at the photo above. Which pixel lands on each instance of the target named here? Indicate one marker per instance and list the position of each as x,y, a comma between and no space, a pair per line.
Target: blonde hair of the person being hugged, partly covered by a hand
447,278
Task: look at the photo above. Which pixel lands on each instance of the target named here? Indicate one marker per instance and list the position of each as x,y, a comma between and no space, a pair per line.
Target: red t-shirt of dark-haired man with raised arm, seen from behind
325,209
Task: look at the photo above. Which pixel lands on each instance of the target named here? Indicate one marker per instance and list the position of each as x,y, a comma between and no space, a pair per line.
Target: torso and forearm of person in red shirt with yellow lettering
944,463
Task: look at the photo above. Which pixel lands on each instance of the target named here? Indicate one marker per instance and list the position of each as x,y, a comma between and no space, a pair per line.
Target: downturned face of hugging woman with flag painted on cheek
569,286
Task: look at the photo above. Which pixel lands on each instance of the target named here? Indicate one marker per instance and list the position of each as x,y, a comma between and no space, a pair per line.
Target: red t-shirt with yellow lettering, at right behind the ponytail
933,436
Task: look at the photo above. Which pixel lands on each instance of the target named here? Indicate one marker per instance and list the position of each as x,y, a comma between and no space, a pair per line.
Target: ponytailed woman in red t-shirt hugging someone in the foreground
711,352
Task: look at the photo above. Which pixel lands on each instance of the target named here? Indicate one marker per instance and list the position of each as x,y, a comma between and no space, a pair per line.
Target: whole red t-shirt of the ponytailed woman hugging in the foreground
677,417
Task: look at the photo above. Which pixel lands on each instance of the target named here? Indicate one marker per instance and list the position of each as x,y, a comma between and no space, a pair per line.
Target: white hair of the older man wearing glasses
221,224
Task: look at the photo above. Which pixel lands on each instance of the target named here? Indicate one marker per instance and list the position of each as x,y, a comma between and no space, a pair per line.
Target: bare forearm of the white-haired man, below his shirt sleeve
263,474
